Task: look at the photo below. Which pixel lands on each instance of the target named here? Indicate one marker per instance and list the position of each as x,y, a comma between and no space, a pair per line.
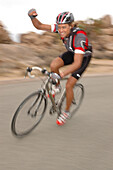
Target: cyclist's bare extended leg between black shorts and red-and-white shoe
69,92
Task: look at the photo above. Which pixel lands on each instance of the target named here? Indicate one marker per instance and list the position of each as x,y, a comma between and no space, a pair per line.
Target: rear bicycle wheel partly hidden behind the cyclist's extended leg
78,88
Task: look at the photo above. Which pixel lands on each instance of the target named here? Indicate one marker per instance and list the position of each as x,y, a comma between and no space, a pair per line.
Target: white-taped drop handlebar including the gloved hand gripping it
43,71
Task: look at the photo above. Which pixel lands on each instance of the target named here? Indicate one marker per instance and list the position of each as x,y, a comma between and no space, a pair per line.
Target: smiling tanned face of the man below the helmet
64,30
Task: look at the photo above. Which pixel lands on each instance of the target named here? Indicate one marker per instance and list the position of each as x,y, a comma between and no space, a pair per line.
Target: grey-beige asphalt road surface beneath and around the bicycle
84,143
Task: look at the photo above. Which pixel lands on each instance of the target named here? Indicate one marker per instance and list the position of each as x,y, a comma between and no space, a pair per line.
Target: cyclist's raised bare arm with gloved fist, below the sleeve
37,24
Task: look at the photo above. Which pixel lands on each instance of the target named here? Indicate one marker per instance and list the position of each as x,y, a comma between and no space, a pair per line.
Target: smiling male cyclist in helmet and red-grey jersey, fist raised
77,56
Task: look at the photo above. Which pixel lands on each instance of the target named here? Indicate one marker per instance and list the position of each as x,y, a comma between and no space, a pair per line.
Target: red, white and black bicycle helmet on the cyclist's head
65,18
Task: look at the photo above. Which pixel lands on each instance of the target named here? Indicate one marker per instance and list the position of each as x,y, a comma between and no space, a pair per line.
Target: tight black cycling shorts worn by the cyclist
68,58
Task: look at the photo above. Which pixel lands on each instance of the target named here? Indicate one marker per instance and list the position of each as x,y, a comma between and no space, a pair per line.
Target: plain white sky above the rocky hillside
14,13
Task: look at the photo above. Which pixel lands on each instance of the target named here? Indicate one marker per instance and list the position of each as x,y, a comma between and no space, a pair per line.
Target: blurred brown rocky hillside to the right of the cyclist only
100,33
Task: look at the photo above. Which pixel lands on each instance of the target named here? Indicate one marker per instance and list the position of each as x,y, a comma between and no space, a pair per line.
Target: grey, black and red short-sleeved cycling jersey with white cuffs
76,42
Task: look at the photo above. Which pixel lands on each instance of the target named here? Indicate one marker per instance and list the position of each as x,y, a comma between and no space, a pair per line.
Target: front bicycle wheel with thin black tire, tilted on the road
29,108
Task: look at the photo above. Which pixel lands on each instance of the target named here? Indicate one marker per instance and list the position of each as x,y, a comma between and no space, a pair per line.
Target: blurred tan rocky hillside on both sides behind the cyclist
36,49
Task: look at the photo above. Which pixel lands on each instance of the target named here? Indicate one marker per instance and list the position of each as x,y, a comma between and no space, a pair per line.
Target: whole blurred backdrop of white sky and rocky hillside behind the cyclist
21,45
